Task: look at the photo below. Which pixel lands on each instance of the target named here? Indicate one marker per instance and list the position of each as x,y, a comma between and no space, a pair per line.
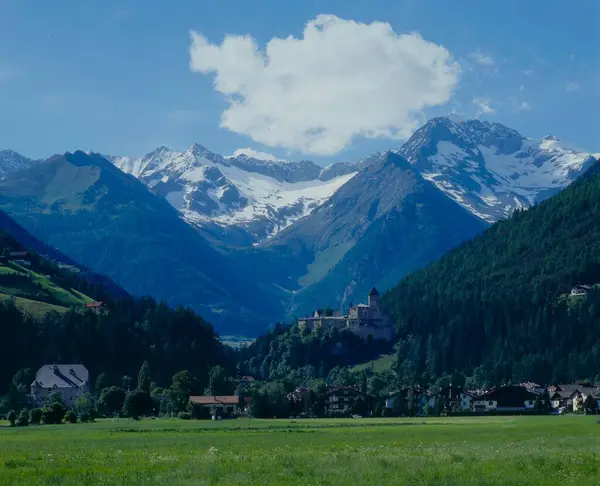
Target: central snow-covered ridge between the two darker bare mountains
259,197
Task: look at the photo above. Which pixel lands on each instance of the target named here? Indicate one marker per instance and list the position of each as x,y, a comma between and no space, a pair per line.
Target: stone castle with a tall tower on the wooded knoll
364,320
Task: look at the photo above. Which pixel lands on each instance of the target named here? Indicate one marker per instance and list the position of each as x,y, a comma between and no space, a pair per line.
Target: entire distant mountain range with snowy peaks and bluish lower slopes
247,242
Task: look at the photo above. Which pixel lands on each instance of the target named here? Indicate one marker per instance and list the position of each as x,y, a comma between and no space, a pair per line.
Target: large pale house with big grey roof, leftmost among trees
71,380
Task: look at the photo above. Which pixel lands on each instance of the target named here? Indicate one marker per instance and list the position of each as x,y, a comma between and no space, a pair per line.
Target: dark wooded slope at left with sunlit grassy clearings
114,341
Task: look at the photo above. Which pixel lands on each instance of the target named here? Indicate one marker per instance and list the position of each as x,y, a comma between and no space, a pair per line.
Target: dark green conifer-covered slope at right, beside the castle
498,305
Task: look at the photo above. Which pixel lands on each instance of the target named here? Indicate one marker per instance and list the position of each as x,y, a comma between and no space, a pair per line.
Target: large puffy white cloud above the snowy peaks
340,80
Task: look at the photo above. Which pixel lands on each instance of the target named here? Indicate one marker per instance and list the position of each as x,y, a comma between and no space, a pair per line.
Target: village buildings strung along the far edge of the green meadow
72,381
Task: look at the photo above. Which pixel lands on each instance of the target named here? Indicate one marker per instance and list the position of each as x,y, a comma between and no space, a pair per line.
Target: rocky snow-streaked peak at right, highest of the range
490,169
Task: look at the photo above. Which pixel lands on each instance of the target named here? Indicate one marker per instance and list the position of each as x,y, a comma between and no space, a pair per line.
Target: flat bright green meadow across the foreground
445,451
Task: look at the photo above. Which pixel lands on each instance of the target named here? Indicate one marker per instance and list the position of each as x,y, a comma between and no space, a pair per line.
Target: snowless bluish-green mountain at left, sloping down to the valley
87,208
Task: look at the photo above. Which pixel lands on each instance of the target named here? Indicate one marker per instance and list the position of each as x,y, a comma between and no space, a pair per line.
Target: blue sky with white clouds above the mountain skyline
321,80
